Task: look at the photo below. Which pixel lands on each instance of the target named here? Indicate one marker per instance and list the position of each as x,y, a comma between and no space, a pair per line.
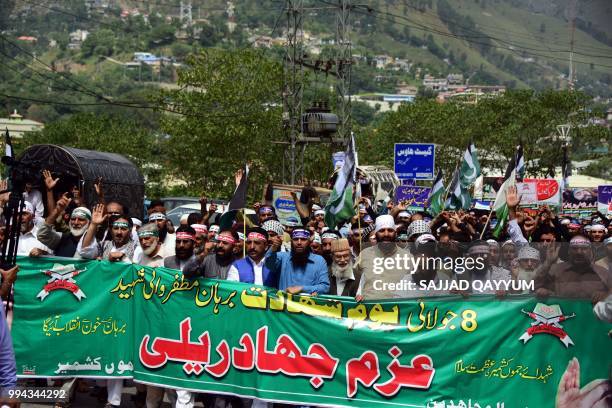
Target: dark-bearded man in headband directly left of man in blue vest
217,264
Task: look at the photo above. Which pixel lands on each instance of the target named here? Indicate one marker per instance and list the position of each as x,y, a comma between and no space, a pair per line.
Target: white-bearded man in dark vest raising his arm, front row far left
64,244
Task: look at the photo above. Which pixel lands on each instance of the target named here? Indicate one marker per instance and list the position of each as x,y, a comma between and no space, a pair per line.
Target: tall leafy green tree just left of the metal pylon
229,102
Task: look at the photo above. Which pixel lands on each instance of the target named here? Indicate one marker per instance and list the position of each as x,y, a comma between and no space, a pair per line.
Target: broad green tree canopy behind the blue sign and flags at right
496,125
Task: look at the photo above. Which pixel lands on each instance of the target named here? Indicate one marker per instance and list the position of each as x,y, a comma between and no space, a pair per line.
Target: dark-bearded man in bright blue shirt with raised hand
298,271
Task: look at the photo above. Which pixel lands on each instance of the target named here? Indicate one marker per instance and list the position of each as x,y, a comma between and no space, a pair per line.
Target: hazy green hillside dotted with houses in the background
516,43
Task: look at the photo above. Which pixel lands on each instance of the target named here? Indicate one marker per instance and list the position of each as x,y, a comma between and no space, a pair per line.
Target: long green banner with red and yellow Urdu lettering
101,319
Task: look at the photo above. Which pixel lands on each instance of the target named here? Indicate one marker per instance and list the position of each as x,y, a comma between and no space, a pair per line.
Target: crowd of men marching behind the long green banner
560,255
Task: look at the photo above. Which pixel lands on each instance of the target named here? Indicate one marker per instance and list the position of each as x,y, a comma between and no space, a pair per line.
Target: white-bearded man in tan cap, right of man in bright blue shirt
343,281
